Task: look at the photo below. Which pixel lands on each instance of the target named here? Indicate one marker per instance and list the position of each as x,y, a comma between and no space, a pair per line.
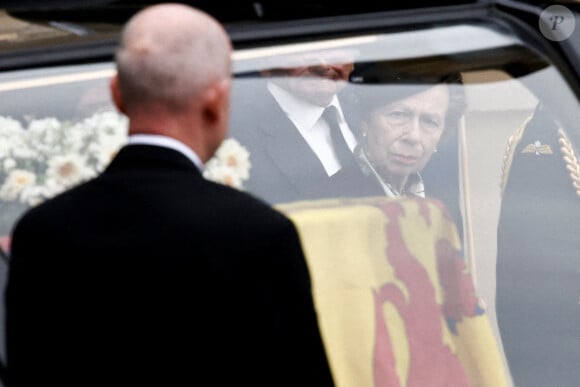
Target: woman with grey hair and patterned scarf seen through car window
408,129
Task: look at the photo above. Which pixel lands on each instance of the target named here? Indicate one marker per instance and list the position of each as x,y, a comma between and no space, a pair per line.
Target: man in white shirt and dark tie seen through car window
281,120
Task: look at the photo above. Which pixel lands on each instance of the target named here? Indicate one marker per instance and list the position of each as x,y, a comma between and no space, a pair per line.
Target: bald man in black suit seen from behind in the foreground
150,274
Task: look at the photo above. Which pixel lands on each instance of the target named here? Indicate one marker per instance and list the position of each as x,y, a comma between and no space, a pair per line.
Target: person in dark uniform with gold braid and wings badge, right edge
538,261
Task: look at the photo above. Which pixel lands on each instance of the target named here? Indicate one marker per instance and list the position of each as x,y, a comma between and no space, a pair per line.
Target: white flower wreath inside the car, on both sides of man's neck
48,156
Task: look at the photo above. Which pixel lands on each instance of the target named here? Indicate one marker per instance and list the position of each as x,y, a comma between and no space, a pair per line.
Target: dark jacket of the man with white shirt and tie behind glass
284,168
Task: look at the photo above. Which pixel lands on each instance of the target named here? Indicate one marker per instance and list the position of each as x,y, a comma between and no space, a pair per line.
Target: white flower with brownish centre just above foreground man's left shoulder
68,170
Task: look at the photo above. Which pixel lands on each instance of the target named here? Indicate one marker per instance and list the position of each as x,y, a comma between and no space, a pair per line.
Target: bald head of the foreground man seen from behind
173,76
